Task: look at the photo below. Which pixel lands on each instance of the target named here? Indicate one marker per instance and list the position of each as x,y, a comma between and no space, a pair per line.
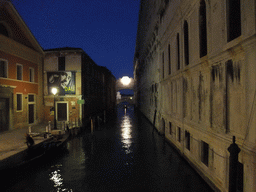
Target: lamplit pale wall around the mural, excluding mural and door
73,62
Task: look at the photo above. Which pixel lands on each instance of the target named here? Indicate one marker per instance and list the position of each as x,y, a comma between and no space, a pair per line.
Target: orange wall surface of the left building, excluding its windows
20,118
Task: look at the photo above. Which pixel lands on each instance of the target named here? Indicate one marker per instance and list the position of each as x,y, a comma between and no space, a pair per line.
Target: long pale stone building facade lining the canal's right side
194,70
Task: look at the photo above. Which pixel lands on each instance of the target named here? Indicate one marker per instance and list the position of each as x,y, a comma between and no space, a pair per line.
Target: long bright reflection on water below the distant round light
126,134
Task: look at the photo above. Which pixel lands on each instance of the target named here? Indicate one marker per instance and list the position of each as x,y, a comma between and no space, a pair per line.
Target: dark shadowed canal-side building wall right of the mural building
99,93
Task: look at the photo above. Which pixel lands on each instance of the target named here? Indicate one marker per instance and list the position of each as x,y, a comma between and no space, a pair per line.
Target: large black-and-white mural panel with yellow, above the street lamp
64,81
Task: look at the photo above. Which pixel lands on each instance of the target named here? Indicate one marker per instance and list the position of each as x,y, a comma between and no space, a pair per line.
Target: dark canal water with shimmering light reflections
127,154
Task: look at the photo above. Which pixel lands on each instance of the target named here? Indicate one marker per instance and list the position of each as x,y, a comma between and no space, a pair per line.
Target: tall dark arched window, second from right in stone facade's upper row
202,29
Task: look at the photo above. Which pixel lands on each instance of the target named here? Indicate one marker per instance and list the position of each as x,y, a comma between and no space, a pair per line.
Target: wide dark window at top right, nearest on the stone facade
233,19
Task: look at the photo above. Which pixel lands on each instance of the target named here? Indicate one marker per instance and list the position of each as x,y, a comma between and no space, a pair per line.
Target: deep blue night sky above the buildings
104,29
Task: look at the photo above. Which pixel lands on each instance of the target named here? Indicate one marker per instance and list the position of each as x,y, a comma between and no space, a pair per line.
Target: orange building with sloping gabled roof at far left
21,78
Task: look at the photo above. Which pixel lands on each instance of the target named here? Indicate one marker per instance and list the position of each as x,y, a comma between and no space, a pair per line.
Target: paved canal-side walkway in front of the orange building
13,142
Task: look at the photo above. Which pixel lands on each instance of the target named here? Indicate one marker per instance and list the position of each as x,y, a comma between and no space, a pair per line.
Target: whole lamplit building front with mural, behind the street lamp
62,70
